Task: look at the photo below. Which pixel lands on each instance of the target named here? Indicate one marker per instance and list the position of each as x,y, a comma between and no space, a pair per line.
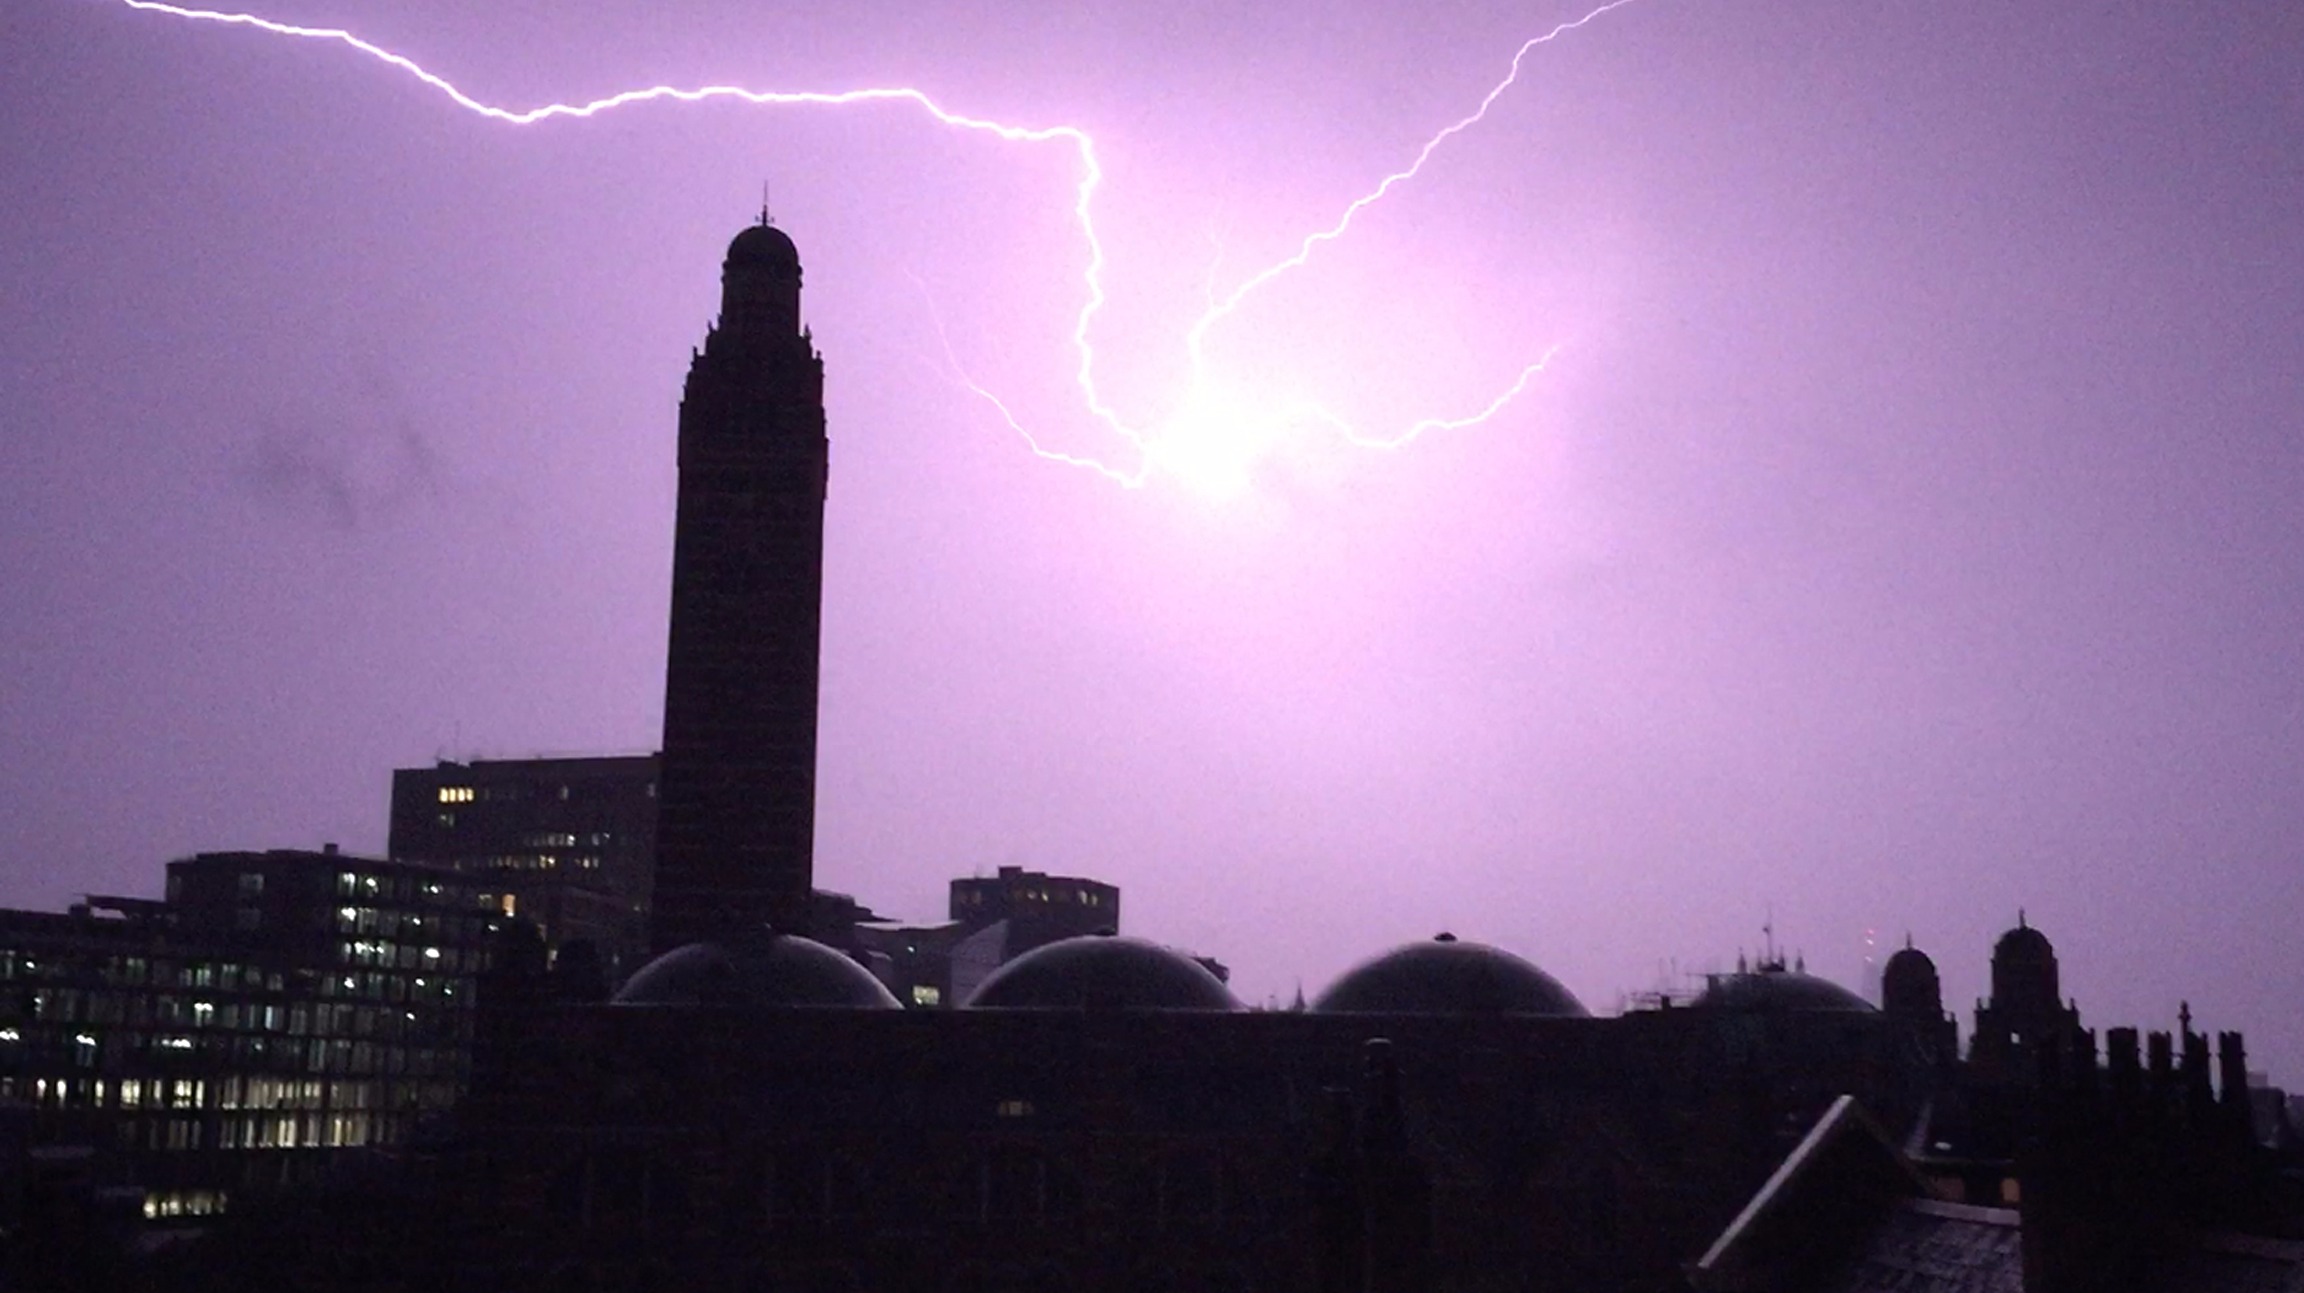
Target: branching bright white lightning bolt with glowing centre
1208,448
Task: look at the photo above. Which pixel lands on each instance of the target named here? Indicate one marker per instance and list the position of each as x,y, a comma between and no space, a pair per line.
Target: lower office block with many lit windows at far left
273,1011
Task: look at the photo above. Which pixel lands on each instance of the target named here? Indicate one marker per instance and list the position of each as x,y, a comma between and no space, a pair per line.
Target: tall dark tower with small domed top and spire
736,824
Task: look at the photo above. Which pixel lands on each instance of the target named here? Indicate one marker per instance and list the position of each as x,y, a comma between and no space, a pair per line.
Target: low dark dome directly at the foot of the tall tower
766,969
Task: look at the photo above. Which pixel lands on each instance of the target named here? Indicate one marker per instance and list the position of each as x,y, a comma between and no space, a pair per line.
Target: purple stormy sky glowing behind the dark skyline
1907,531
